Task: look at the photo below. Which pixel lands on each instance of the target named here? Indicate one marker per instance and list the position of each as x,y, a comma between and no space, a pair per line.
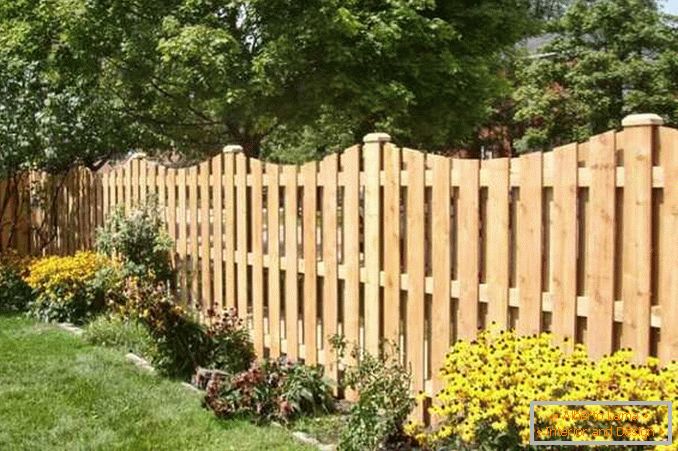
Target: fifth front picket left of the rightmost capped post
469,248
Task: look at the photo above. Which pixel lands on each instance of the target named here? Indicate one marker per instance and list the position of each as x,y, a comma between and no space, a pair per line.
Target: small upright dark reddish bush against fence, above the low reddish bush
231,348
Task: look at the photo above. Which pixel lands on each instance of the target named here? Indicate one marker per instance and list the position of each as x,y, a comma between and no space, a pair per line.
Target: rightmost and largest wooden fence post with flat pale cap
638,145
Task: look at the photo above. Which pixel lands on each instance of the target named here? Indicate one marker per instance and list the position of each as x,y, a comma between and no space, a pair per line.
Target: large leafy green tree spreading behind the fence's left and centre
193,75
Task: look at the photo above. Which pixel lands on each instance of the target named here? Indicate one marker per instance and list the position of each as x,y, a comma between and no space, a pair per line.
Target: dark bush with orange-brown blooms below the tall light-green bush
181,342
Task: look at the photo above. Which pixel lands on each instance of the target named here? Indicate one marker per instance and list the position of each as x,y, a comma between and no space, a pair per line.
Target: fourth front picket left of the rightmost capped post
497,239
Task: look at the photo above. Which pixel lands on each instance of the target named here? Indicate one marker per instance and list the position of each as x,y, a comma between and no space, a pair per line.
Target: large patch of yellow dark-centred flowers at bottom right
490,382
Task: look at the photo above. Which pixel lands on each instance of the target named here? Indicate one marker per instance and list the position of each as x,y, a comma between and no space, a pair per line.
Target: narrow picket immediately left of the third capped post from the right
218,233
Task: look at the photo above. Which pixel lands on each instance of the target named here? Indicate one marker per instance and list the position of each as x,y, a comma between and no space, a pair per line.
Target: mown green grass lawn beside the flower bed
57,392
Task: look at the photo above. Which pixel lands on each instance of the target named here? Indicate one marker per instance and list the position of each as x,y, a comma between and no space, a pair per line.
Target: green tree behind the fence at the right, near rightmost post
609,58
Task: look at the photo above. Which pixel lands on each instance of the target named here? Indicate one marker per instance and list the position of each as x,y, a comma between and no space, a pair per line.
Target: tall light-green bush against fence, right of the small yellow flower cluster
139,240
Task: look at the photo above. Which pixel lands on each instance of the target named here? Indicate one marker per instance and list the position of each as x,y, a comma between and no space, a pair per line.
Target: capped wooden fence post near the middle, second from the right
373,143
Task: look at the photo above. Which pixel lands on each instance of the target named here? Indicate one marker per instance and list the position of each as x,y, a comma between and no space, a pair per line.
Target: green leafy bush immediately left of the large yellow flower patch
376,420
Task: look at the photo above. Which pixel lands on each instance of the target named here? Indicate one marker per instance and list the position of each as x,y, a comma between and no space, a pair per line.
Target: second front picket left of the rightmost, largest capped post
564,244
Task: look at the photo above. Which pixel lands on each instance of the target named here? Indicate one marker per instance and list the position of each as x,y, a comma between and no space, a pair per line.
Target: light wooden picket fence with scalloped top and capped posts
382,242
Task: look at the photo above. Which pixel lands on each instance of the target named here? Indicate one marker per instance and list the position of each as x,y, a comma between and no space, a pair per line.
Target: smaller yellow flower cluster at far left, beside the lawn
63,277
